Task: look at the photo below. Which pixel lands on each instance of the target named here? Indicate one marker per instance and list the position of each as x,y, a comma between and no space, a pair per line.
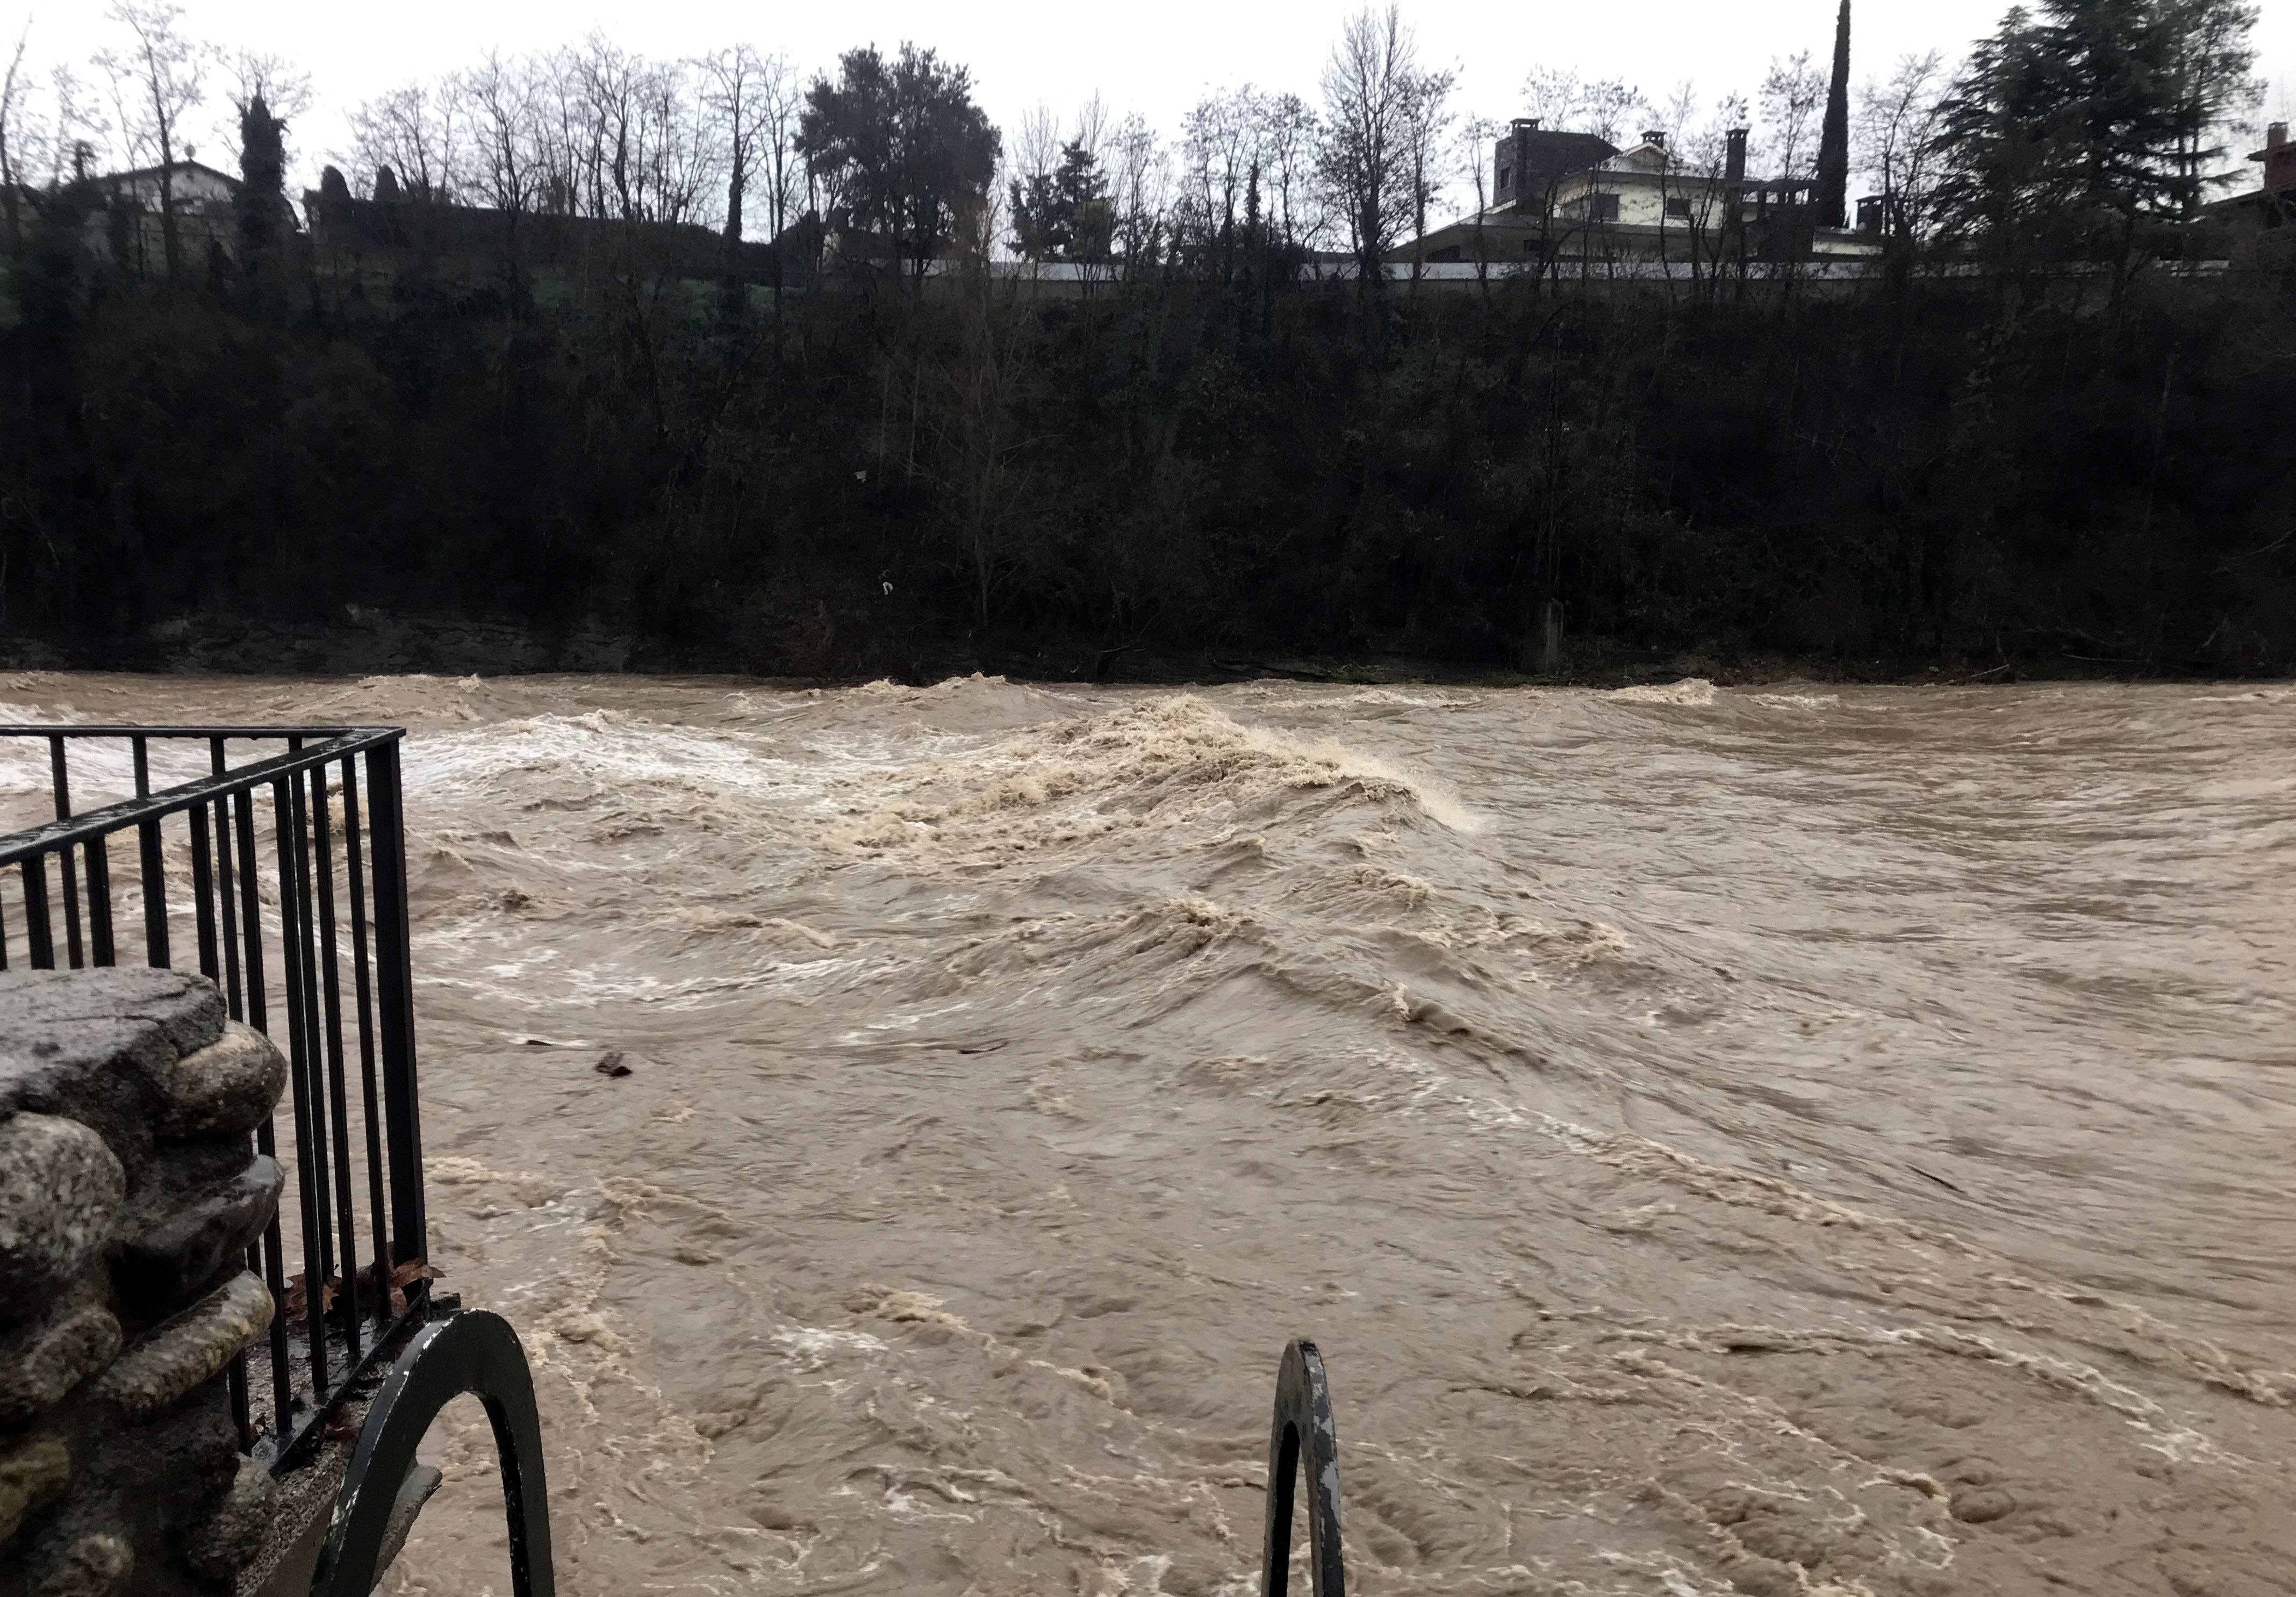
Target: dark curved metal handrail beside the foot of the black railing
472,1353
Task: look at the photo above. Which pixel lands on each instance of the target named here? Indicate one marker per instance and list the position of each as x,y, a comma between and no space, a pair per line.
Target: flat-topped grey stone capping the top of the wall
98,1045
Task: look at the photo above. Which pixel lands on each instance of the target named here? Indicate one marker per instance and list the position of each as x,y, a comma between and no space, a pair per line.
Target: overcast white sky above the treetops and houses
1149,59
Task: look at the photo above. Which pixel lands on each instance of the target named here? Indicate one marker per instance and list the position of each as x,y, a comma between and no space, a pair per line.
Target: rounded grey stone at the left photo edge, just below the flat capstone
61,1190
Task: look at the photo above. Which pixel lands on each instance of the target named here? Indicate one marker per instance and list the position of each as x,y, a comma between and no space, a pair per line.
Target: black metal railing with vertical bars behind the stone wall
288,878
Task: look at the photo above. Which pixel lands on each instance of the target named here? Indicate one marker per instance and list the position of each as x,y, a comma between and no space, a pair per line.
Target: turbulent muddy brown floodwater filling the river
1771,1142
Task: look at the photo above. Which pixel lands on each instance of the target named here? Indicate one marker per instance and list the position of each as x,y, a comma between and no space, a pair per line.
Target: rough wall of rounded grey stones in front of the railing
130,1194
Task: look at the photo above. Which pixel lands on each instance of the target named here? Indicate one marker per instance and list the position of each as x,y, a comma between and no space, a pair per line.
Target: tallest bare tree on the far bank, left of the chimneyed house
1367,95
